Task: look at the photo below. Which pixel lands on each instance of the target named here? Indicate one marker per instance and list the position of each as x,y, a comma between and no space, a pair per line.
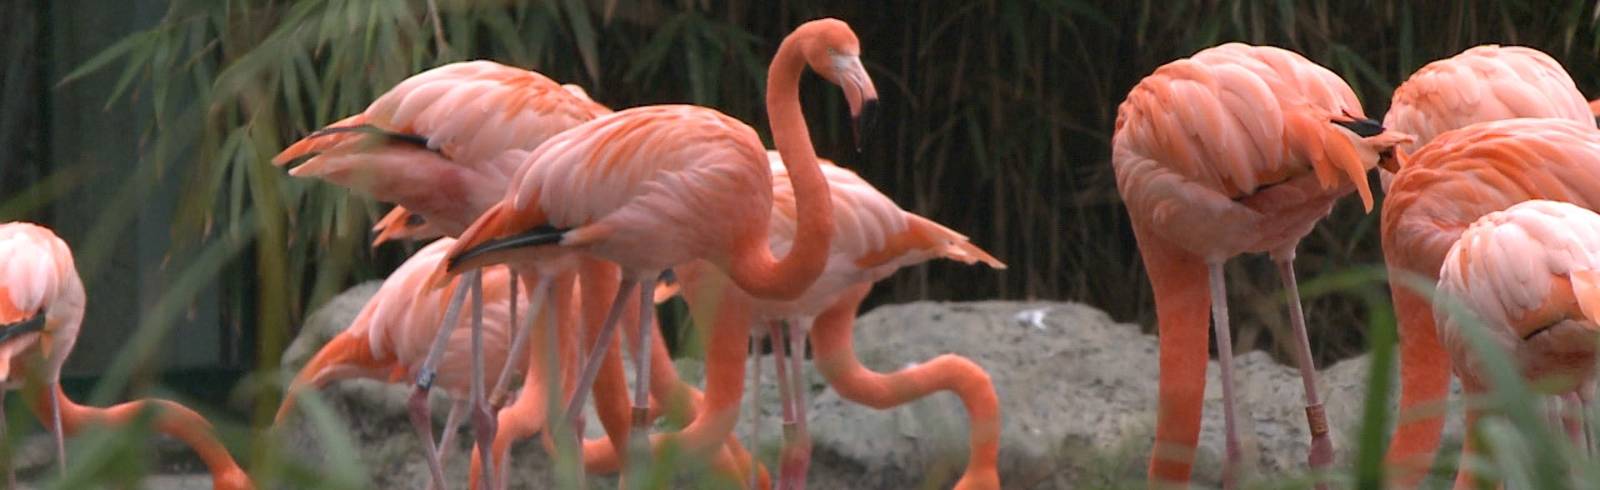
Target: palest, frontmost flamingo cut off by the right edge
1532,276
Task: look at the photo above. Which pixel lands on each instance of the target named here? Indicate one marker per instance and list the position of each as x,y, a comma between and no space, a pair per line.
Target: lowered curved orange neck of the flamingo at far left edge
172,420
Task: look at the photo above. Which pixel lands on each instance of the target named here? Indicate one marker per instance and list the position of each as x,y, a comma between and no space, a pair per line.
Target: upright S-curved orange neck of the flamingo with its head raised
754,268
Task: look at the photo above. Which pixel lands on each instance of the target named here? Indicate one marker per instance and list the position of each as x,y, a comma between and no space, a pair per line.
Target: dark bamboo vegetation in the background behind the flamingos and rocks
142,131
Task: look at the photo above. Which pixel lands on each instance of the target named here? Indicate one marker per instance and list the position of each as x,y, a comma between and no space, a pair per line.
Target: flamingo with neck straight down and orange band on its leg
1238,150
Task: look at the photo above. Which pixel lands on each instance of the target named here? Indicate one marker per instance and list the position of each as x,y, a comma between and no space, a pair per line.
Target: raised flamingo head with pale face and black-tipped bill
834,52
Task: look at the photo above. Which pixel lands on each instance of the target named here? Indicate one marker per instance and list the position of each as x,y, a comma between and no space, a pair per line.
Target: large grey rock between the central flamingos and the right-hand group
1078,395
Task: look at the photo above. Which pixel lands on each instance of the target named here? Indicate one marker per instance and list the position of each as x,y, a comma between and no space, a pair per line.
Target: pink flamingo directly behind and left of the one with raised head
442,143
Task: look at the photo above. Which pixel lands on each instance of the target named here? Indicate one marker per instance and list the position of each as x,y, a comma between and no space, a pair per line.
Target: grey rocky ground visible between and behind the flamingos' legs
1078,398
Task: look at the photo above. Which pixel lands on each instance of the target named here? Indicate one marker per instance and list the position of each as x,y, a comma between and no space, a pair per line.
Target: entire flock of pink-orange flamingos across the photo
566,222
